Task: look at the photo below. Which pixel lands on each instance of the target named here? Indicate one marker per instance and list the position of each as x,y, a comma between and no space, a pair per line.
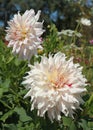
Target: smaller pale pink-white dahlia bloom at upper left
24,34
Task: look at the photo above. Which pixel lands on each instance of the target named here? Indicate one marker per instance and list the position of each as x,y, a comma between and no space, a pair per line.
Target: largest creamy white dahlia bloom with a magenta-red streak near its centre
56,86
